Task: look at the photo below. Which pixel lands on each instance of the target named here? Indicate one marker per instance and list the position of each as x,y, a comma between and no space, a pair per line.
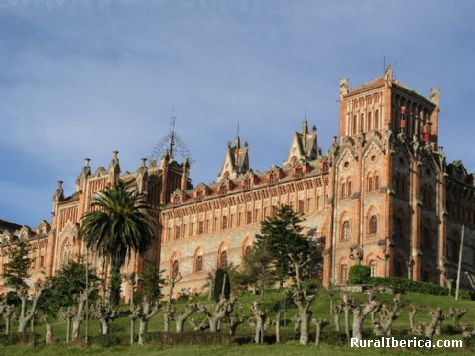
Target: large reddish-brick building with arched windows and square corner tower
383,188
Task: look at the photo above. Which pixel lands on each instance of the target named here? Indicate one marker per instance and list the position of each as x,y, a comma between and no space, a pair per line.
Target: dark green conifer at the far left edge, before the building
16,269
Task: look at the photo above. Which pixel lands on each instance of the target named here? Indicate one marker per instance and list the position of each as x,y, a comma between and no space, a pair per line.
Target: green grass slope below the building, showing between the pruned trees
320,308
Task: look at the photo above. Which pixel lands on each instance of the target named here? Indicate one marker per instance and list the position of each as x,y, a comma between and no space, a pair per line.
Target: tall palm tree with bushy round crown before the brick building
119,225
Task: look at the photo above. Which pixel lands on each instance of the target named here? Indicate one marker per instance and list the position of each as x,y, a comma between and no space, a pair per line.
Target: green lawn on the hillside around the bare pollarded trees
320,308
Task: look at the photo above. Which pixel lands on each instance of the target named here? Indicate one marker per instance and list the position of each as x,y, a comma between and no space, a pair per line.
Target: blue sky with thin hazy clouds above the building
80,79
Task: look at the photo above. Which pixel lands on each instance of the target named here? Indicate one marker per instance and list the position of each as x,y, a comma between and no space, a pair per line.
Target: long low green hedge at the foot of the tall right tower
399,284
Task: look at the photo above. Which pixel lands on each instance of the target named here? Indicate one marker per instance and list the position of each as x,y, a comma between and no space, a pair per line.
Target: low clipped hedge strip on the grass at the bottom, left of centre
188,338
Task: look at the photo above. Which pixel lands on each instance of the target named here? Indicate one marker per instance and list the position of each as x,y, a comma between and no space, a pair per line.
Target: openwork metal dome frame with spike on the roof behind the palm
172,143
